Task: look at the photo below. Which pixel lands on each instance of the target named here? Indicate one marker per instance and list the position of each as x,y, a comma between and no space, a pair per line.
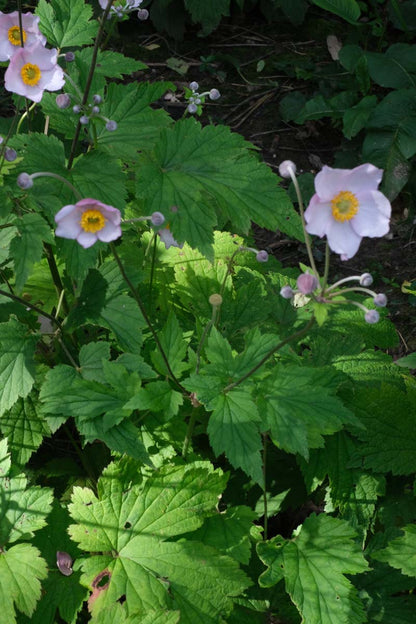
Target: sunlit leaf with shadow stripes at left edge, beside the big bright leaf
23,510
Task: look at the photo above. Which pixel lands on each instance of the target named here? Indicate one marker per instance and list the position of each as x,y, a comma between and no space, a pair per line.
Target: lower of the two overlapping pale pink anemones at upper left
33,70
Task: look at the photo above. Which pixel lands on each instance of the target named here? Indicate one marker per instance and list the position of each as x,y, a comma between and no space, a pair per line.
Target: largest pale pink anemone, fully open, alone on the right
348,206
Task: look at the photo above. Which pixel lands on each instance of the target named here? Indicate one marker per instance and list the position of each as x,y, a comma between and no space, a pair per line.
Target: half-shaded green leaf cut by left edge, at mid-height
16,363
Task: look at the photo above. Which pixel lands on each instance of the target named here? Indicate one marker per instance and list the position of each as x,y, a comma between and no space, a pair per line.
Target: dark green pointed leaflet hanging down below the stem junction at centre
234,429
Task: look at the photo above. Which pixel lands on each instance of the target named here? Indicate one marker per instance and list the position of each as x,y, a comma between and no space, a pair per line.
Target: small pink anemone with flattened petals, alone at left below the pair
87,221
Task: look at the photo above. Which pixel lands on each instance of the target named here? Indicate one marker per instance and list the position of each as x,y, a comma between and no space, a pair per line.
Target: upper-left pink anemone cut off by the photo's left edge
10,36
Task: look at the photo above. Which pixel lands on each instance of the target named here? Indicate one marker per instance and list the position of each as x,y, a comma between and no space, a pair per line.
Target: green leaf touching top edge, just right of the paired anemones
66,23
